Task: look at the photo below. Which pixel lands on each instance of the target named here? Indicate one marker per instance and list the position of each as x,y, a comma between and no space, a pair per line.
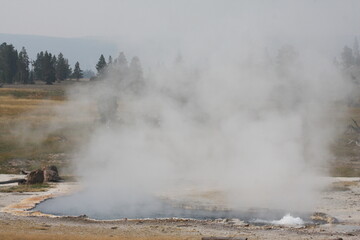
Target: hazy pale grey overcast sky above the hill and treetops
183,22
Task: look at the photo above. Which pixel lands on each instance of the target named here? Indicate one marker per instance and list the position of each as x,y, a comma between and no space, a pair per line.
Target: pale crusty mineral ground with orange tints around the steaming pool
17,223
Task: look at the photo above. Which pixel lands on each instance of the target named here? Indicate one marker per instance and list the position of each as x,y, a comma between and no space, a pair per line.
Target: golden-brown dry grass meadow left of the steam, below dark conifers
31,132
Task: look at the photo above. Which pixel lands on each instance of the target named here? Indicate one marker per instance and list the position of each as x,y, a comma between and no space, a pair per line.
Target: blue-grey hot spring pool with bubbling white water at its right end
67,206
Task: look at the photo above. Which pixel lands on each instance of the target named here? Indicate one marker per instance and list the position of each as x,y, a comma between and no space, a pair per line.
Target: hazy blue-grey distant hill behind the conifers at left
85,50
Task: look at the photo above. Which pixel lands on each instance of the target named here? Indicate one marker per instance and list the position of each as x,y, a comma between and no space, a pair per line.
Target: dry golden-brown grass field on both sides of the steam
28,138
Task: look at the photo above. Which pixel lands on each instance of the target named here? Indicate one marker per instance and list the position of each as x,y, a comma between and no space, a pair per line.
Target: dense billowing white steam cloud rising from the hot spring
254,126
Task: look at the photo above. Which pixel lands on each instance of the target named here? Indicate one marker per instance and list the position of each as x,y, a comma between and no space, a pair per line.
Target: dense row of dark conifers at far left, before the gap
16,67
